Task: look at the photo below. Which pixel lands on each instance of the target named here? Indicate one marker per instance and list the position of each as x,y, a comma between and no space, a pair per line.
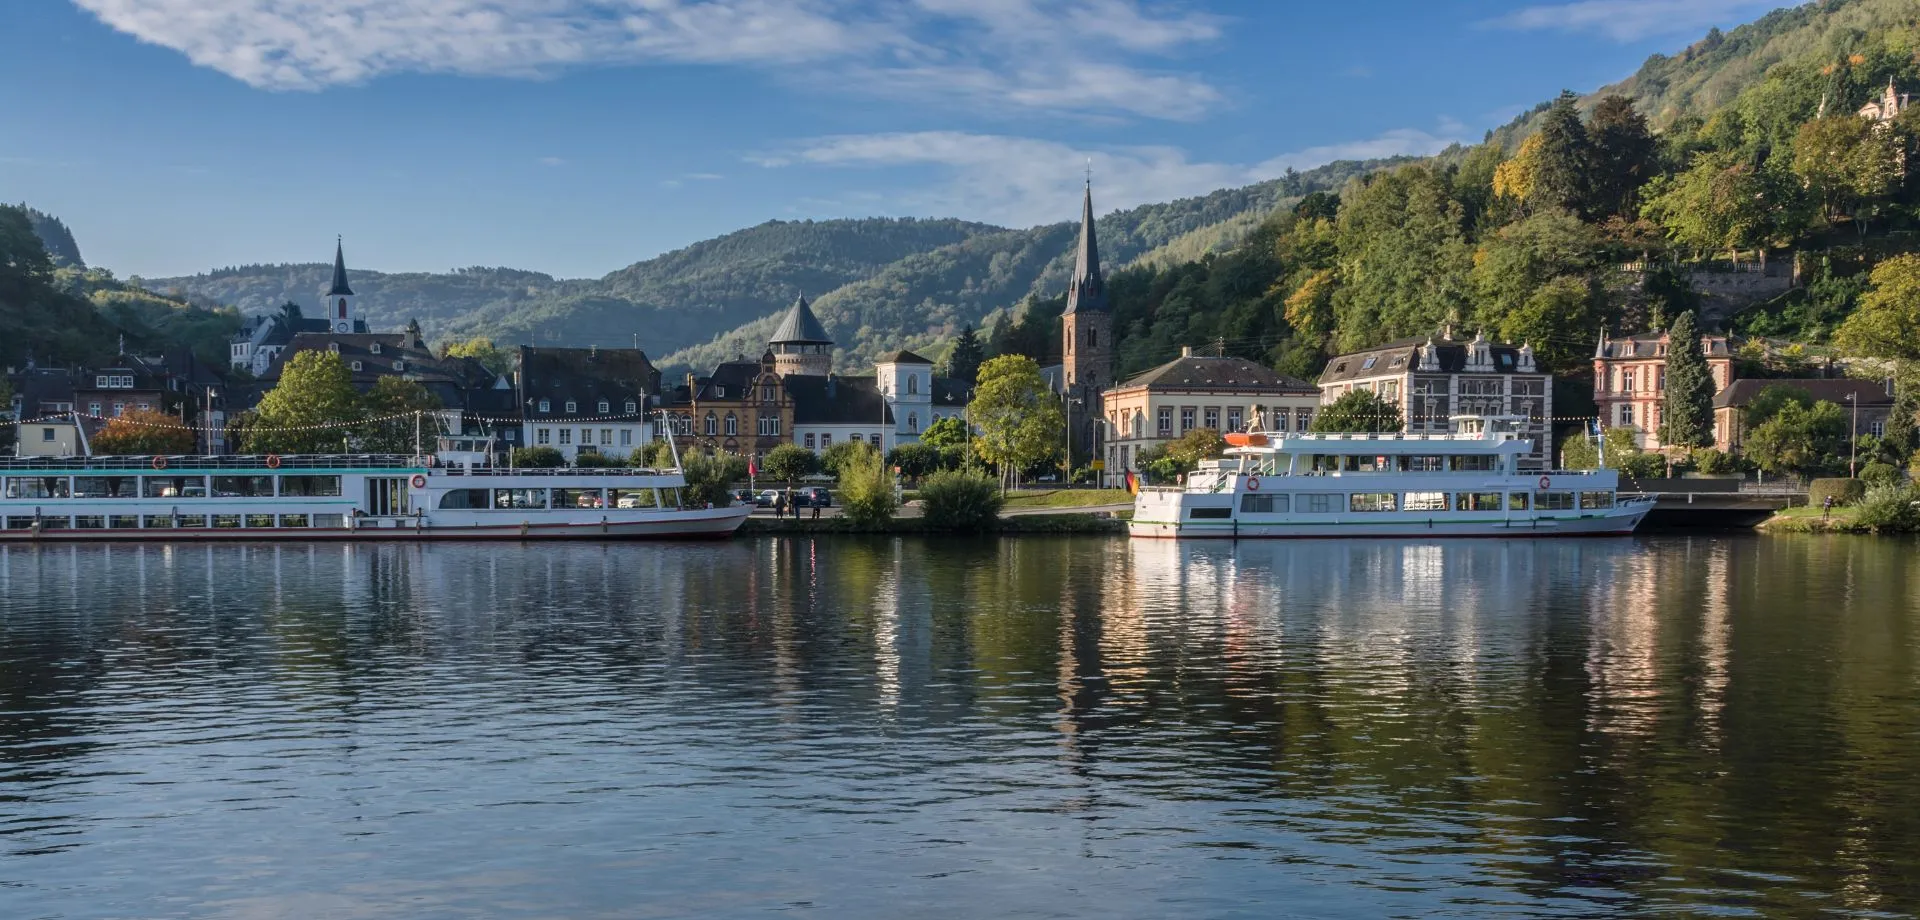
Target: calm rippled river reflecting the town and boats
997,729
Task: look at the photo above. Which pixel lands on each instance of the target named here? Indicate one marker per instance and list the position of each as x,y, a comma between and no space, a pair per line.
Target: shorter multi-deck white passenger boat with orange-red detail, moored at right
1468,483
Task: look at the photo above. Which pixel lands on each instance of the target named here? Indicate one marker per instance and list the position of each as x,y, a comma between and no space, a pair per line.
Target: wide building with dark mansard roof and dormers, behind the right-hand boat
1439,377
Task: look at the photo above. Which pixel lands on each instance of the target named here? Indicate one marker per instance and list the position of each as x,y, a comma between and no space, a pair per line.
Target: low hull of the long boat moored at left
681,525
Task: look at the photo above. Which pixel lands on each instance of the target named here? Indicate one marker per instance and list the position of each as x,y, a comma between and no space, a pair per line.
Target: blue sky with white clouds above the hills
577,137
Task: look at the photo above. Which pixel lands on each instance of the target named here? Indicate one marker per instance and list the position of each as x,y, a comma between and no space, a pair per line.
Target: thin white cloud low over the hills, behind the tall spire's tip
1028,182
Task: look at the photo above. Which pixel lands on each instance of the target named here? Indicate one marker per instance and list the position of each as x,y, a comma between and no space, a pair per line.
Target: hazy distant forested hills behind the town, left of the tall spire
669,303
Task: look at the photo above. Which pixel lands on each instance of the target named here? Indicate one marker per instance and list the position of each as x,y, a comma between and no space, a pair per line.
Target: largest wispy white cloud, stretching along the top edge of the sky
1034,55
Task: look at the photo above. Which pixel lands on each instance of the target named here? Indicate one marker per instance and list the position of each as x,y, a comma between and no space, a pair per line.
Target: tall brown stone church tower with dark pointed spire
1088,343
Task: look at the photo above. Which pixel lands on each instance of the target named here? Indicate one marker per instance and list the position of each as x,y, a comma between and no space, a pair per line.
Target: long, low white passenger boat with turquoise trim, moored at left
343,498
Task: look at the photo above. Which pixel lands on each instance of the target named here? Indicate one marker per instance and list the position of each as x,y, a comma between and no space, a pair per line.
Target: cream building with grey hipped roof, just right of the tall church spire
1189,393
